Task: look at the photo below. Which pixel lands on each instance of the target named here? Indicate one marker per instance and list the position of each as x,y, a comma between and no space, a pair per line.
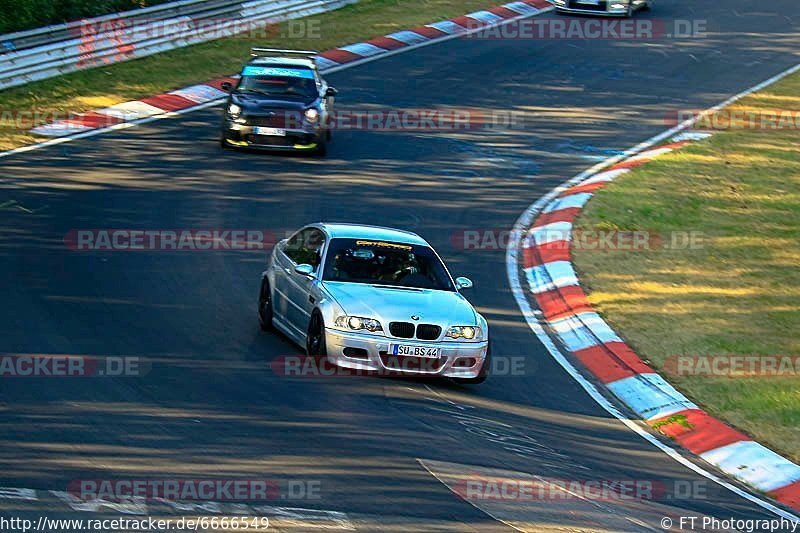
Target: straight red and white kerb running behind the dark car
167,104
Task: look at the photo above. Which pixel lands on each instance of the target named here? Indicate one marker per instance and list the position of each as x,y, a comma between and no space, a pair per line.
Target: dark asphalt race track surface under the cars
210,405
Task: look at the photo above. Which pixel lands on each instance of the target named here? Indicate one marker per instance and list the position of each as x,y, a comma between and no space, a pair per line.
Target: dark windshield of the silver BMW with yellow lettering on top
385,263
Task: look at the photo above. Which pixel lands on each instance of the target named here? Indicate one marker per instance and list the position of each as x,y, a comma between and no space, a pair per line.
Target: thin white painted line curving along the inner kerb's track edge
513,272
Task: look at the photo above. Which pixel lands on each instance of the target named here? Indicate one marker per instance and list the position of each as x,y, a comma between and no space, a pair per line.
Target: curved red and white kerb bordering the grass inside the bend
554,288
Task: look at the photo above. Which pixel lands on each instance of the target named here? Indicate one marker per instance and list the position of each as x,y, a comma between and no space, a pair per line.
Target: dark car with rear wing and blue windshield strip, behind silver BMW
280,102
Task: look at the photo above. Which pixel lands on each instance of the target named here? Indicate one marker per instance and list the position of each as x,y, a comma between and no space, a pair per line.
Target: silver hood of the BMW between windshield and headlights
390,304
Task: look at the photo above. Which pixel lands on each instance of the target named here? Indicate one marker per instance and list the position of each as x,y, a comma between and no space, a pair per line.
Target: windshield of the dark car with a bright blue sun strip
285,82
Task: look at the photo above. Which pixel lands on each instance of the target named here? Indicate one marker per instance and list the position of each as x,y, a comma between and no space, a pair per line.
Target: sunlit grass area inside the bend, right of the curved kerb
739,292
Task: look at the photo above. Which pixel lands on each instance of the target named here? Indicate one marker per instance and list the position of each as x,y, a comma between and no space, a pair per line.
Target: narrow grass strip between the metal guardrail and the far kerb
106,86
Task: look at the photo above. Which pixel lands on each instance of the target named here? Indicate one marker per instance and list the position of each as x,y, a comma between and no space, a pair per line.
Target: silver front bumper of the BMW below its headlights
374,355
